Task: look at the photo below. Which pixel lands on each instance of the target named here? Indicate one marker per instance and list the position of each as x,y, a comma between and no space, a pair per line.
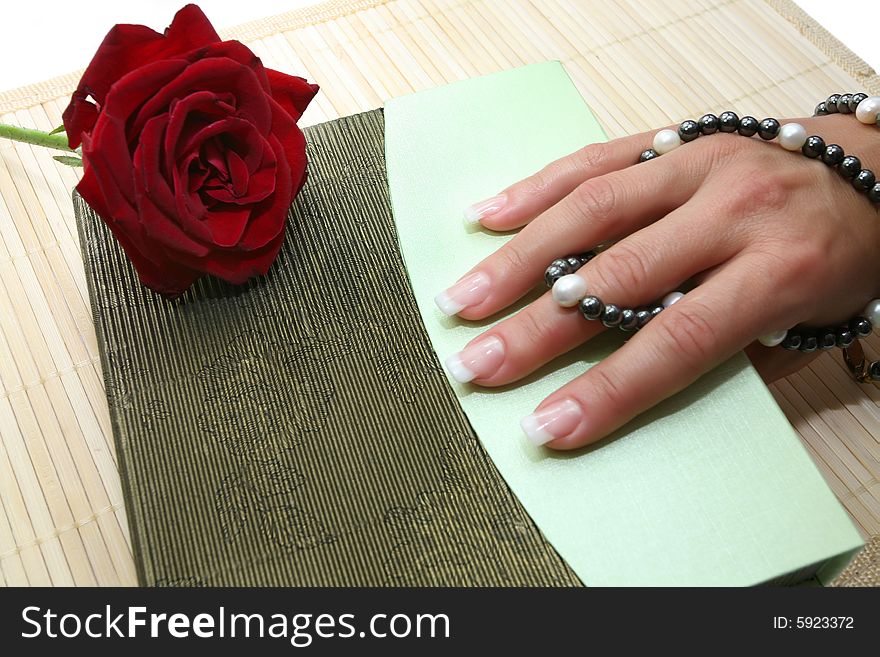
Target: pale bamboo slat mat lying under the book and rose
638,63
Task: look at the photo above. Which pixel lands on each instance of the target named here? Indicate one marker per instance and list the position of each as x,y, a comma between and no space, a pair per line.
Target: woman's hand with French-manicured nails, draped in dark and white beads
771,238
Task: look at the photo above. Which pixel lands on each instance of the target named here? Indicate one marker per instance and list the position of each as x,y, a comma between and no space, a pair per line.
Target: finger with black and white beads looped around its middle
638,270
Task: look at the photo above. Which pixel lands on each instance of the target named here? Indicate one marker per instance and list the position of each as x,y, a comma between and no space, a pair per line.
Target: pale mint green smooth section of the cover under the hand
712,487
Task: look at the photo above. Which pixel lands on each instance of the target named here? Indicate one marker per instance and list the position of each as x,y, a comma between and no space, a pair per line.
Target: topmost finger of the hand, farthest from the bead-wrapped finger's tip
525,200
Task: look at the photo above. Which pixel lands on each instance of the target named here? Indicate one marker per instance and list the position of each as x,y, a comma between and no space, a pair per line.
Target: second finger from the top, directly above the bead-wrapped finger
601,209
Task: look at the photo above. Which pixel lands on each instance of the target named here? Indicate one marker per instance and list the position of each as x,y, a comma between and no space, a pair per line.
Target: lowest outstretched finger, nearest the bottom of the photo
710,324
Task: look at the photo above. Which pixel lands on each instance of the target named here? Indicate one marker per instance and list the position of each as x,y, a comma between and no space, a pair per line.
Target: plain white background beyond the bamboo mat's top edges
63,34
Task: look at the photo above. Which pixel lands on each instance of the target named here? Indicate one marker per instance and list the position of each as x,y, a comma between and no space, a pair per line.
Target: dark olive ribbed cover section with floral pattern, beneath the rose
298,430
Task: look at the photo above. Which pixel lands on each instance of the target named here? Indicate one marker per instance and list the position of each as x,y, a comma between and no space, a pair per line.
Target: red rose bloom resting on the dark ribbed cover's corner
191,150
